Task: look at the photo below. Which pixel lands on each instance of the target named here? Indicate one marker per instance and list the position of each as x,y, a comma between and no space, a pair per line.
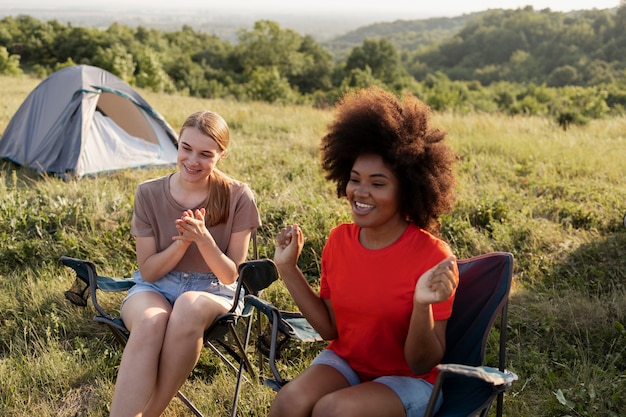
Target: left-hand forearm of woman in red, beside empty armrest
310,304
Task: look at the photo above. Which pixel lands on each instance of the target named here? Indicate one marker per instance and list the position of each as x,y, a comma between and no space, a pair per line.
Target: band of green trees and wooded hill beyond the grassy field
570,67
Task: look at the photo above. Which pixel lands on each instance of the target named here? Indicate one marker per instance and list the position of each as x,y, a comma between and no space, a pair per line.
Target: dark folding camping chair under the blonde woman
254,276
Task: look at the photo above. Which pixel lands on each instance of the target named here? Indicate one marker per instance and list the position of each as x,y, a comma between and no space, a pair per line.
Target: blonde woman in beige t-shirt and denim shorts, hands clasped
192,229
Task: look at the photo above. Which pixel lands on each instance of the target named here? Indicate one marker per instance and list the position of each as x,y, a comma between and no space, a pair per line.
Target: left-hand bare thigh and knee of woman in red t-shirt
298,397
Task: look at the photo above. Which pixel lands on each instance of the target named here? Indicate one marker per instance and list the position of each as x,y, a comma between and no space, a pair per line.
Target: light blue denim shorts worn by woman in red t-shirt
413,392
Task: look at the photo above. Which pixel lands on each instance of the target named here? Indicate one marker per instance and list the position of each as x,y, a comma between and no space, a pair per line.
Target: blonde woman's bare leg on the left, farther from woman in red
146,313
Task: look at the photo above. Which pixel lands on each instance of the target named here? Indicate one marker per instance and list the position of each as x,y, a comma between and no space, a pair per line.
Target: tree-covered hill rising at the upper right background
526,46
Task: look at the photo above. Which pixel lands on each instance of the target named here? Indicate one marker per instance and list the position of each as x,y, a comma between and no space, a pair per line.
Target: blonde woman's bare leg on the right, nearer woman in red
193,312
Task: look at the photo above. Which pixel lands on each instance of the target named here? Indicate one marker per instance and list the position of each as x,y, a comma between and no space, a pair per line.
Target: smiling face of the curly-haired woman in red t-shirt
373,193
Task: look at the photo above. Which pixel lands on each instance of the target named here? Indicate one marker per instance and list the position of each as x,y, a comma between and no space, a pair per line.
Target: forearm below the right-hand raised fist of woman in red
425,343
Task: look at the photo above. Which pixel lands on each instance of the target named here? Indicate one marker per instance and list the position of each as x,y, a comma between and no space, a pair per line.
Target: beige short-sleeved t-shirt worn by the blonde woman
155,212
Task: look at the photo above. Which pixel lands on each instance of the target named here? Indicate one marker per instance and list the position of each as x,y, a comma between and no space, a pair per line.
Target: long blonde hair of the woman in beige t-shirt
215,127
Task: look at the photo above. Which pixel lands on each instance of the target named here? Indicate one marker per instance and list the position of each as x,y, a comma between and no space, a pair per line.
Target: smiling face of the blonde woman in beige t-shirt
198,155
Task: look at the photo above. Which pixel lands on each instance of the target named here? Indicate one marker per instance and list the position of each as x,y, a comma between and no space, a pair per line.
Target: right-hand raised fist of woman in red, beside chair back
438,283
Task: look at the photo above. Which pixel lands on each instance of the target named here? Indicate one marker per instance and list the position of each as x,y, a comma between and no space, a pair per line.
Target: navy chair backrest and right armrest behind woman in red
468,387
